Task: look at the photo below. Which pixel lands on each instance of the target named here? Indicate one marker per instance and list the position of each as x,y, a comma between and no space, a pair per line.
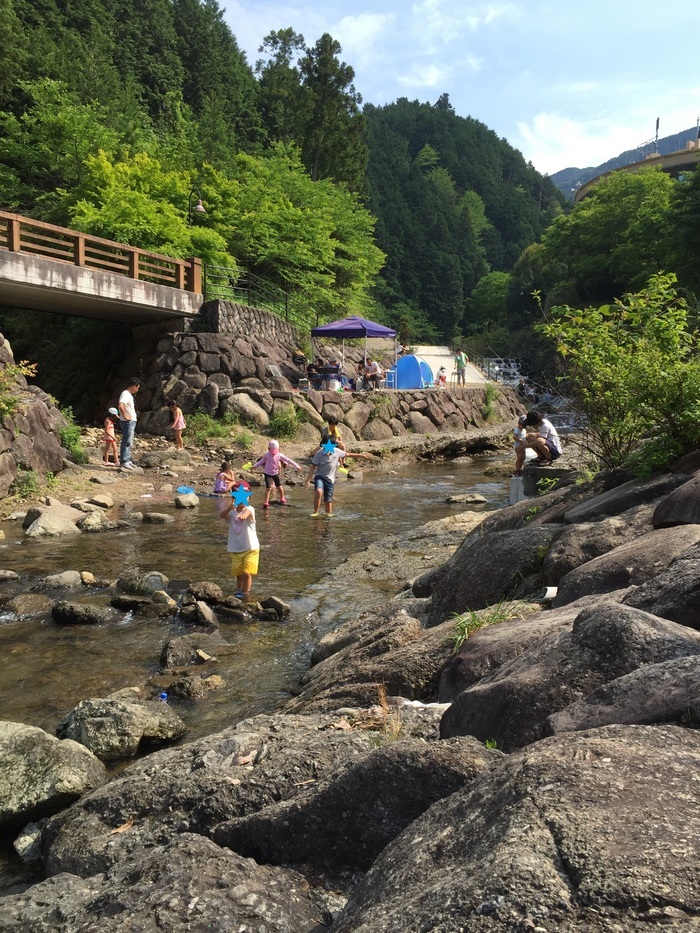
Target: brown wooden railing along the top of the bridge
24,235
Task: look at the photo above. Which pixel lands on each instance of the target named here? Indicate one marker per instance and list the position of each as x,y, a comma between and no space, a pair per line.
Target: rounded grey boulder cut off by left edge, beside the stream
39,775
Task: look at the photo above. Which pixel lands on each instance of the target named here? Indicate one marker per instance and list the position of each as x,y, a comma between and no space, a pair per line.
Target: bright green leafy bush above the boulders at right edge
633,369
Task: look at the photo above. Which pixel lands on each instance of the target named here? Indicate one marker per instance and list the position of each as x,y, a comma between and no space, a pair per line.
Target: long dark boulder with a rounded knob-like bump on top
512,704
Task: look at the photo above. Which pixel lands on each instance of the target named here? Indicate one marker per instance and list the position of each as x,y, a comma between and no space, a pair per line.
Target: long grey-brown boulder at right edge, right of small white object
629,564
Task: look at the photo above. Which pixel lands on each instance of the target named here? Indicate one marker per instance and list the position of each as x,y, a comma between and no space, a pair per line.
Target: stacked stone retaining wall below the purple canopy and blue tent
247,368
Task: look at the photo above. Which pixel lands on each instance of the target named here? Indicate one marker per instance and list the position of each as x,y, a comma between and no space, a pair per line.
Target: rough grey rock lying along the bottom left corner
188,882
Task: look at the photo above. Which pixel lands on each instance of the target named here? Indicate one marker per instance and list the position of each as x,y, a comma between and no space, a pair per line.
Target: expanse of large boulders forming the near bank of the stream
541,775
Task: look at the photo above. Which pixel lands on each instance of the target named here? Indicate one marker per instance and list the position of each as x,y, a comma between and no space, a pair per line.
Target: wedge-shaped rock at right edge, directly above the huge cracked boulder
665,692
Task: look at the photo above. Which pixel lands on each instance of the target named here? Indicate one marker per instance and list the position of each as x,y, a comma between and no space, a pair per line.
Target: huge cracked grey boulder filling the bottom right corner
594,831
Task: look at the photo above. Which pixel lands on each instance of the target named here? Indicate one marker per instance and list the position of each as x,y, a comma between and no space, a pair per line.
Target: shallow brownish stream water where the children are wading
48,669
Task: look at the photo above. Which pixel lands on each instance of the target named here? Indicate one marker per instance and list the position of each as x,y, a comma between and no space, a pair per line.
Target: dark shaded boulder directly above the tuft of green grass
486,570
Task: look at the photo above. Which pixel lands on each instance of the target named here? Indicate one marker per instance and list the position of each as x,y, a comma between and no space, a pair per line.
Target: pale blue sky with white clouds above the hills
565,88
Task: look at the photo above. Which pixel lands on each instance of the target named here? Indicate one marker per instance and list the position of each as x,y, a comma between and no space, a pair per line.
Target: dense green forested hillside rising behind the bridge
113,111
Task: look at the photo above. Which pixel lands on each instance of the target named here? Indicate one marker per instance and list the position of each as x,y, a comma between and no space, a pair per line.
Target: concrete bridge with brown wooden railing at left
50,268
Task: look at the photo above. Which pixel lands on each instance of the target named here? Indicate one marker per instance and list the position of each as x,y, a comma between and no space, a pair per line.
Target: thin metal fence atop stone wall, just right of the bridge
247,288
